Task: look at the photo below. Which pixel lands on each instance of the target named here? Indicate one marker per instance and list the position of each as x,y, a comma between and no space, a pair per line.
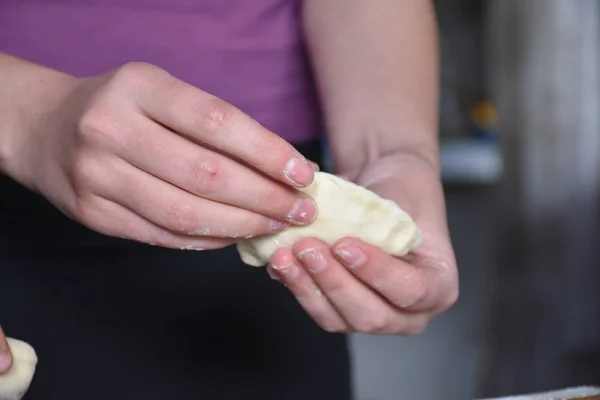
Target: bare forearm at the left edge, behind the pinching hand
27,92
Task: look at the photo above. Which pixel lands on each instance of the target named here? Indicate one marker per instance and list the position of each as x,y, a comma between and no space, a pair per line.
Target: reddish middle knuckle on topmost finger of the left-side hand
215,114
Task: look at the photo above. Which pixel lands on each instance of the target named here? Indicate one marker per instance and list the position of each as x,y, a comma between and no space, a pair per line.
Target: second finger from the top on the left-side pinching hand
213,176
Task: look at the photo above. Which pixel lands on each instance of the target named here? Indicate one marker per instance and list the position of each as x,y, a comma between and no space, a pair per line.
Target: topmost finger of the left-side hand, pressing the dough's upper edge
208,120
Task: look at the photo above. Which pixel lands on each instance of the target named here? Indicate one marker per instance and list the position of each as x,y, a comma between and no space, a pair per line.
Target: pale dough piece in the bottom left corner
16,381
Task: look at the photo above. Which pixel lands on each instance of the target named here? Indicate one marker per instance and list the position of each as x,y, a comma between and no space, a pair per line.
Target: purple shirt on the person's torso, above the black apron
248,52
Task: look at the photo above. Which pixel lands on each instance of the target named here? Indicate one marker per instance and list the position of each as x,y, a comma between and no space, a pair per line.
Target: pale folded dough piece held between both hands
344,209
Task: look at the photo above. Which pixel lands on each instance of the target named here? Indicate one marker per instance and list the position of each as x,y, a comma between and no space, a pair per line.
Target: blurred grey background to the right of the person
520,129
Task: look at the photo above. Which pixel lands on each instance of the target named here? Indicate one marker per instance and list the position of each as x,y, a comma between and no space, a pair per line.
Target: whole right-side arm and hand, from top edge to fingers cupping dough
376,66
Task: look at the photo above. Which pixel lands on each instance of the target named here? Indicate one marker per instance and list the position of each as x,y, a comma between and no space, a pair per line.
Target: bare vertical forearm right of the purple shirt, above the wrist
376,65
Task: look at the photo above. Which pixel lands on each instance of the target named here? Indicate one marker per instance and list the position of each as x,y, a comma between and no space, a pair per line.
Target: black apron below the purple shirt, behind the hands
114,319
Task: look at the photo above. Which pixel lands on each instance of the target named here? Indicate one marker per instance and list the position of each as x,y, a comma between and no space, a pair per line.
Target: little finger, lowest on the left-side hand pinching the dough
112,219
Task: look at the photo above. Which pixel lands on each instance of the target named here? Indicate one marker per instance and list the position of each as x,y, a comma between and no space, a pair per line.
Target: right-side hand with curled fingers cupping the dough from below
355,287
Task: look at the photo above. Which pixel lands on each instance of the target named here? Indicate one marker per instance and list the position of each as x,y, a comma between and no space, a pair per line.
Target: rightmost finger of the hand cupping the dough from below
401,283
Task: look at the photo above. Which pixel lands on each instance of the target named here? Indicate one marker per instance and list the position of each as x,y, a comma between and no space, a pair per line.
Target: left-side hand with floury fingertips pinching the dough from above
139,154
